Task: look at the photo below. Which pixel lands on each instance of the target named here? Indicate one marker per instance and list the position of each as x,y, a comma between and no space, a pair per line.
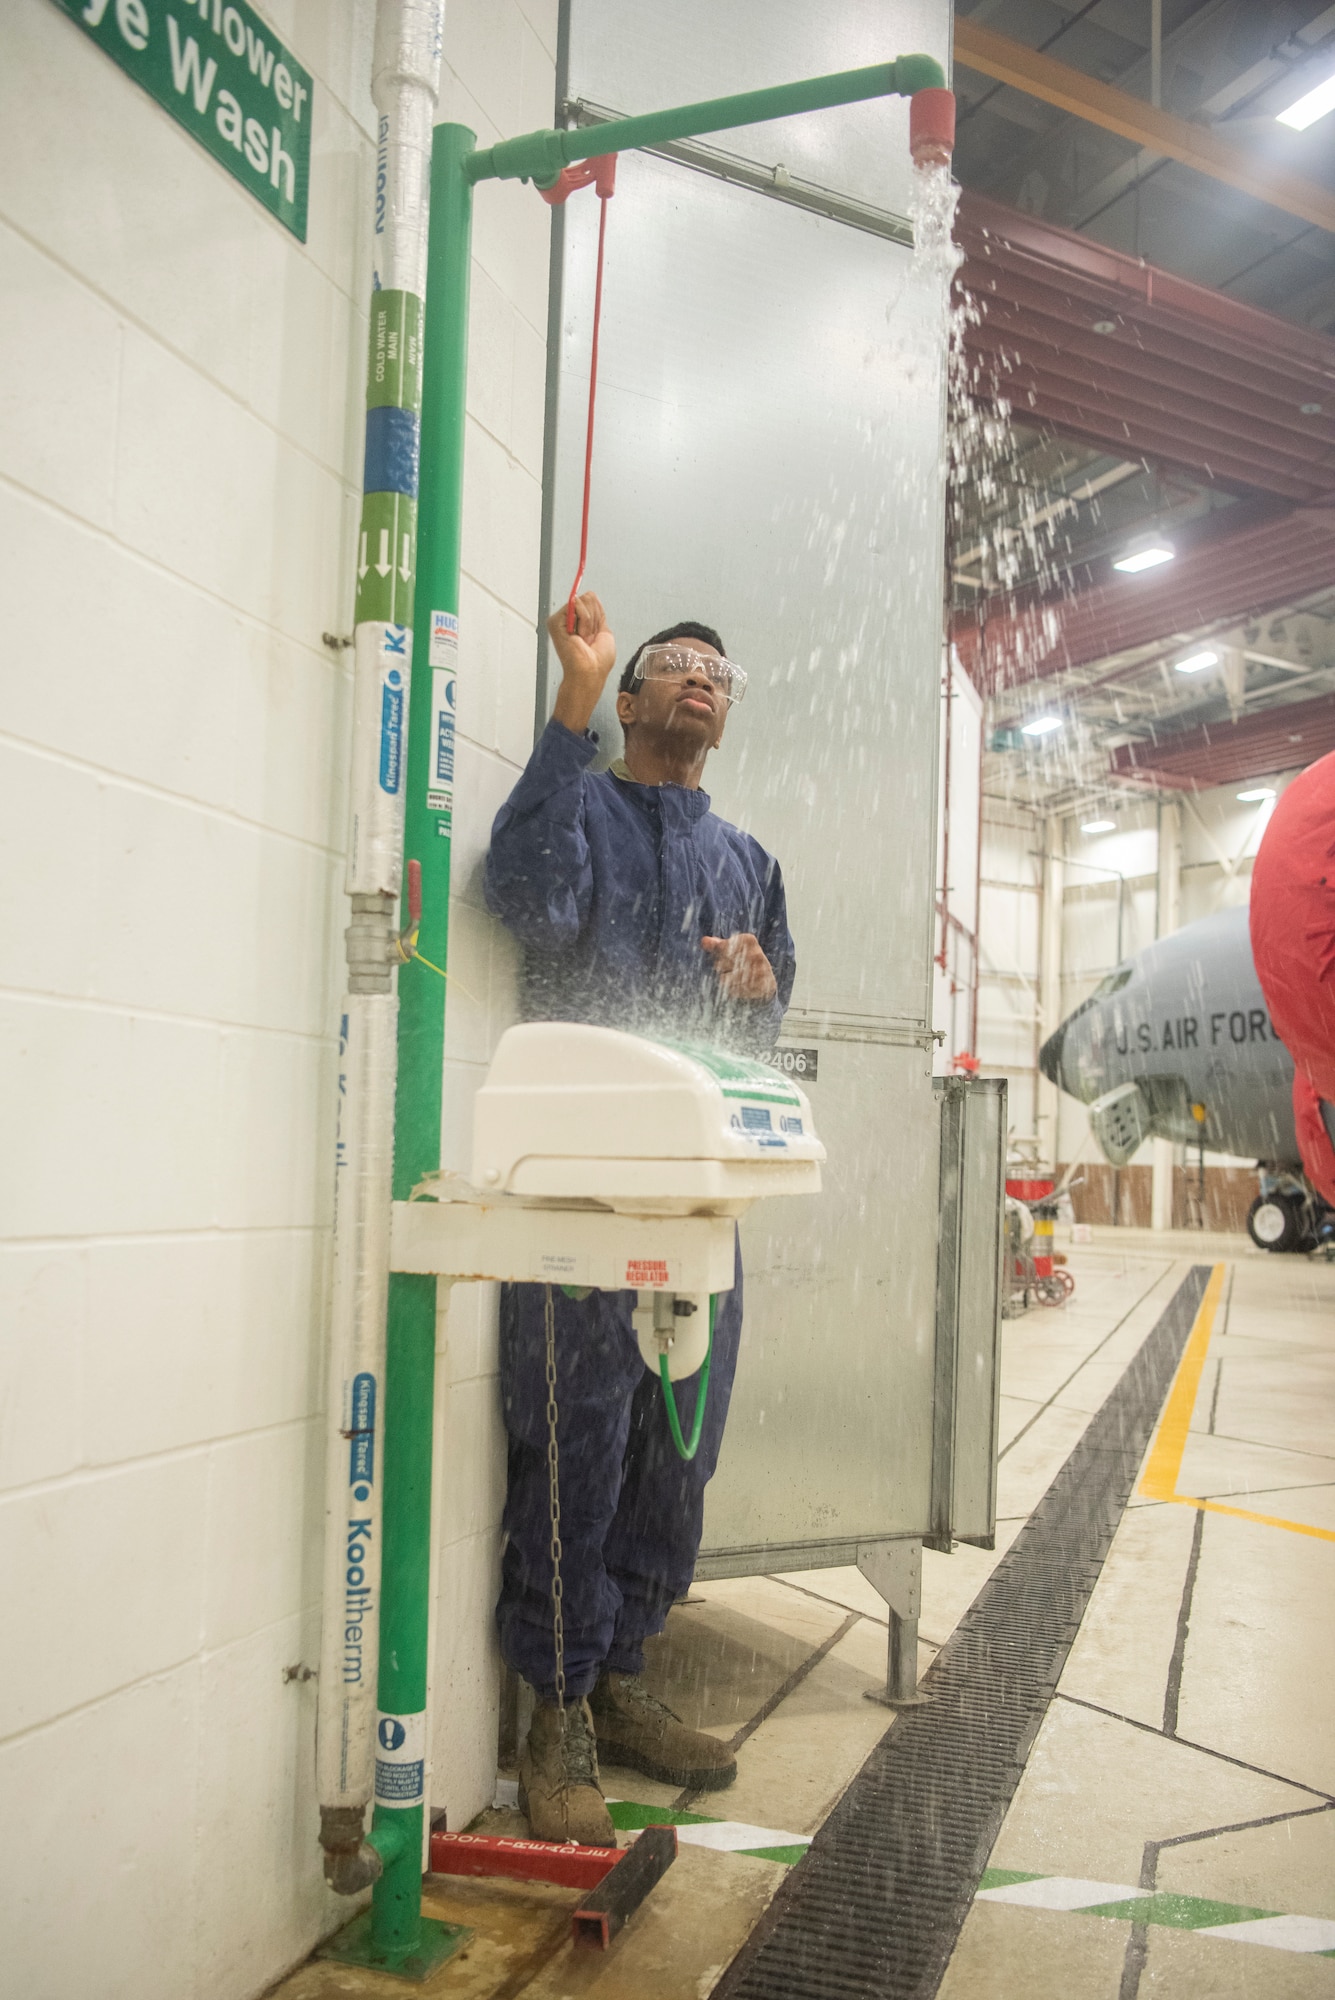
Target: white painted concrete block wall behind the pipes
181,453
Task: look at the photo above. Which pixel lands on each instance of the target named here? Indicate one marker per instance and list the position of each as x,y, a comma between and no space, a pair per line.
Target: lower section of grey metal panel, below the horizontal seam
830,1425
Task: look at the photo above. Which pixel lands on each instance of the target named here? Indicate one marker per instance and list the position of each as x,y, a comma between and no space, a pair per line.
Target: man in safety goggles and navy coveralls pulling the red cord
637,909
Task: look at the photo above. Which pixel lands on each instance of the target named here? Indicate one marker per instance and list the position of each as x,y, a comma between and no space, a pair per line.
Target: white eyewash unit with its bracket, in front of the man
609,1161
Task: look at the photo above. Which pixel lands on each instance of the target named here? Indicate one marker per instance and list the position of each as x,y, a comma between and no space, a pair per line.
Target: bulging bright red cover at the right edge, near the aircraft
1294,949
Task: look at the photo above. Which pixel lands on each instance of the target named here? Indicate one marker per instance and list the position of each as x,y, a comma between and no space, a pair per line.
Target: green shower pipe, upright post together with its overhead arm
401,1939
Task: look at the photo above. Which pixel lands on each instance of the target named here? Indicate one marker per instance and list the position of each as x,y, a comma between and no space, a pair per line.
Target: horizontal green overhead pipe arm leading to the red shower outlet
541,157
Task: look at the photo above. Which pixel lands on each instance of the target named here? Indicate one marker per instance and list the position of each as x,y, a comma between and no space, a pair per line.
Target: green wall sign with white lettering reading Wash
225,75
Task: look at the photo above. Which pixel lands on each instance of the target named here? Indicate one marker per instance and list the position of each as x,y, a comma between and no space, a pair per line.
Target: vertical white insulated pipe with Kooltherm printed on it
405,89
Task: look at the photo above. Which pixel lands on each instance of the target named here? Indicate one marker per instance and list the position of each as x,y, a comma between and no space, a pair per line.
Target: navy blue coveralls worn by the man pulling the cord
609,887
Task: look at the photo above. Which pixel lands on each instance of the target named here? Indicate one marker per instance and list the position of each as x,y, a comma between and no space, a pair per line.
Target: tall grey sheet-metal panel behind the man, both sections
768,459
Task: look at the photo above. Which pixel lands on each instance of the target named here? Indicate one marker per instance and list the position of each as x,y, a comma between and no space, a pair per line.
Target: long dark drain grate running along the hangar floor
876,1907
